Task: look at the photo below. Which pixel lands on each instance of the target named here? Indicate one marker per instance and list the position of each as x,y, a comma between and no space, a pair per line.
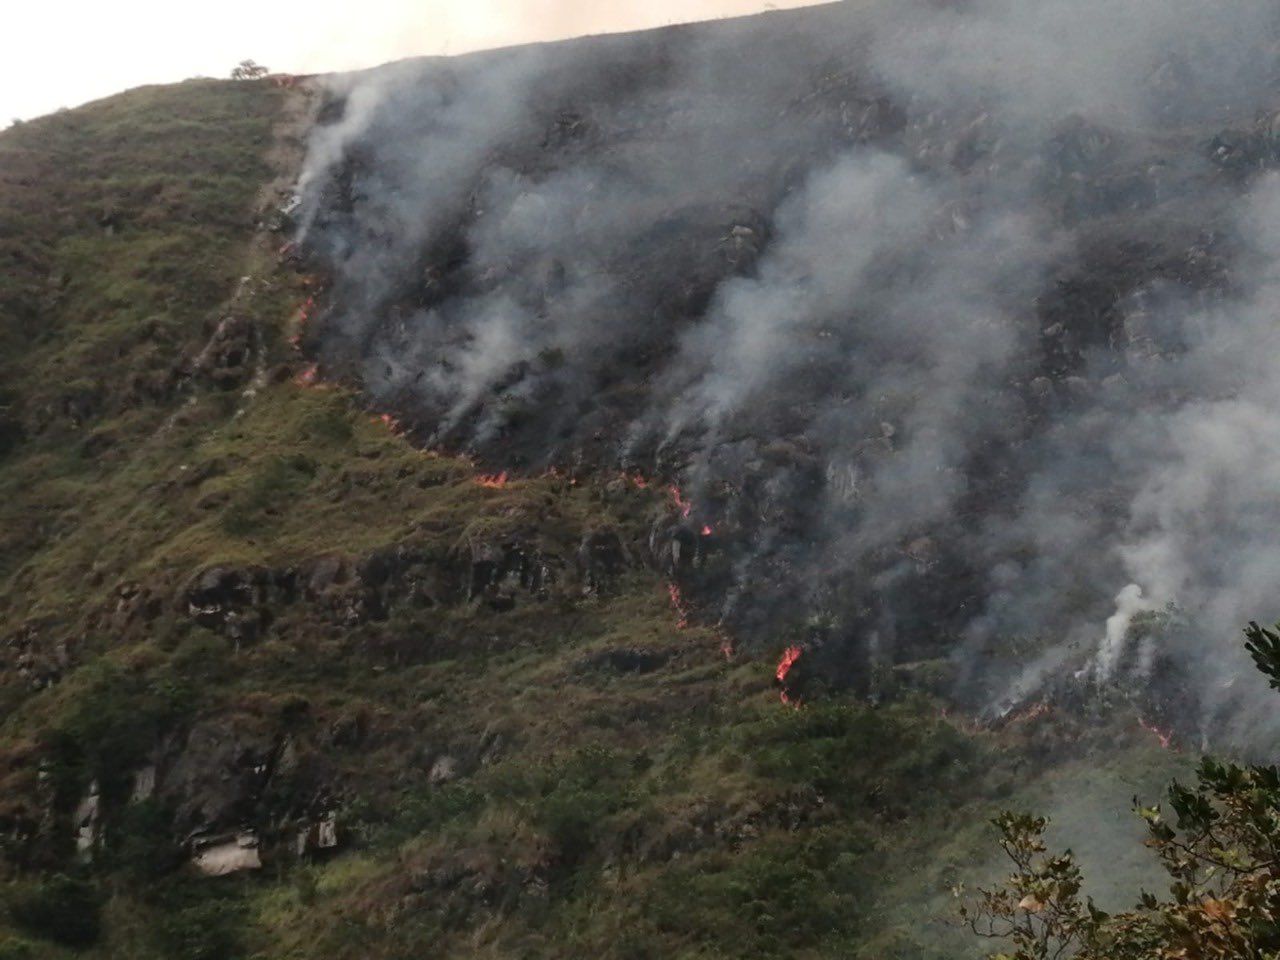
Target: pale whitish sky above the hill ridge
63,53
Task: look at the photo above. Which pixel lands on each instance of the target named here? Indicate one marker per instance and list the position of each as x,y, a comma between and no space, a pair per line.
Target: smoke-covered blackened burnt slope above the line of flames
954,319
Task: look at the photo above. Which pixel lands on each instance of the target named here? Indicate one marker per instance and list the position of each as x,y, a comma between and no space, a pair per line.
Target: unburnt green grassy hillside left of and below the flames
405,702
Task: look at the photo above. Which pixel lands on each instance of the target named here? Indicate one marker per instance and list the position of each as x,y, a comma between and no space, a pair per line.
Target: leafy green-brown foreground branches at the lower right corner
1222,853
